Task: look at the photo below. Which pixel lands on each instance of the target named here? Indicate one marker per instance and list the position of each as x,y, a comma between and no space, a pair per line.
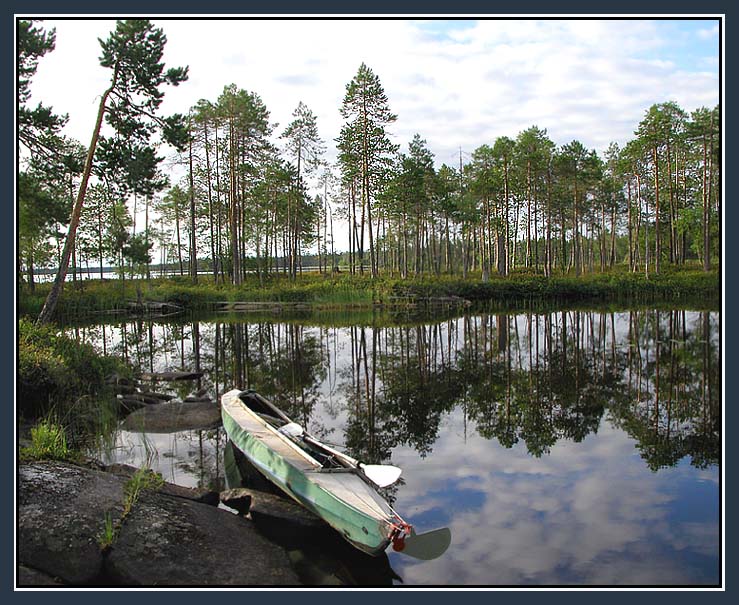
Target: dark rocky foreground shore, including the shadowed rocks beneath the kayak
173,536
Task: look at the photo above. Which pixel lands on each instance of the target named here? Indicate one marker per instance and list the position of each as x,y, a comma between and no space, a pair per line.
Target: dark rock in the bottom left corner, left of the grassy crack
61,513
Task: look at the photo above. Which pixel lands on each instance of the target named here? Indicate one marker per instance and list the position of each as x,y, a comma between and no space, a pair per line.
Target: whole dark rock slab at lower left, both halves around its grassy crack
164,540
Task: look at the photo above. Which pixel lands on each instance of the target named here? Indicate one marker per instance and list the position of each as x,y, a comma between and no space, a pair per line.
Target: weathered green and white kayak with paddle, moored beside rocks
337,488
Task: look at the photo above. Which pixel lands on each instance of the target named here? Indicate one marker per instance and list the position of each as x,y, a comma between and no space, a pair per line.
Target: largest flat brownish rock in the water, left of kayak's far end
173,417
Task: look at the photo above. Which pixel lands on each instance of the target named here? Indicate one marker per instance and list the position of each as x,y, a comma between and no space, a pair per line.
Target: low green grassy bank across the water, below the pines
357,291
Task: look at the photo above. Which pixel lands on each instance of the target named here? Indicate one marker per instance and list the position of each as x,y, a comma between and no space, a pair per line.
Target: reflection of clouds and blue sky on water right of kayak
586,513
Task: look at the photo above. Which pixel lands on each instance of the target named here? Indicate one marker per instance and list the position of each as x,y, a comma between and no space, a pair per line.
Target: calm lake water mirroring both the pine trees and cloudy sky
569,447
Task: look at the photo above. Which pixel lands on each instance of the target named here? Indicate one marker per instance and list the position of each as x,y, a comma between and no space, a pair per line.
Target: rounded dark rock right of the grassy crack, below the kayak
177,542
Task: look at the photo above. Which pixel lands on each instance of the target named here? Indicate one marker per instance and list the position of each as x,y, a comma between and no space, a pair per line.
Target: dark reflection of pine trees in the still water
530,378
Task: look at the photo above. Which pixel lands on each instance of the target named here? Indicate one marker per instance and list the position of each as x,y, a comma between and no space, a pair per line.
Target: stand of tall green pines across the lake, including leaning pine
254,198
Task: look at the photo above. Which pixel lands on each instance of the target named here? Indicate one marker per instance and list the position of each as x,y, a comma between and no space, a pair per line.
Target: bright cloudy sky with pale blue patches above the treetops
458,83
